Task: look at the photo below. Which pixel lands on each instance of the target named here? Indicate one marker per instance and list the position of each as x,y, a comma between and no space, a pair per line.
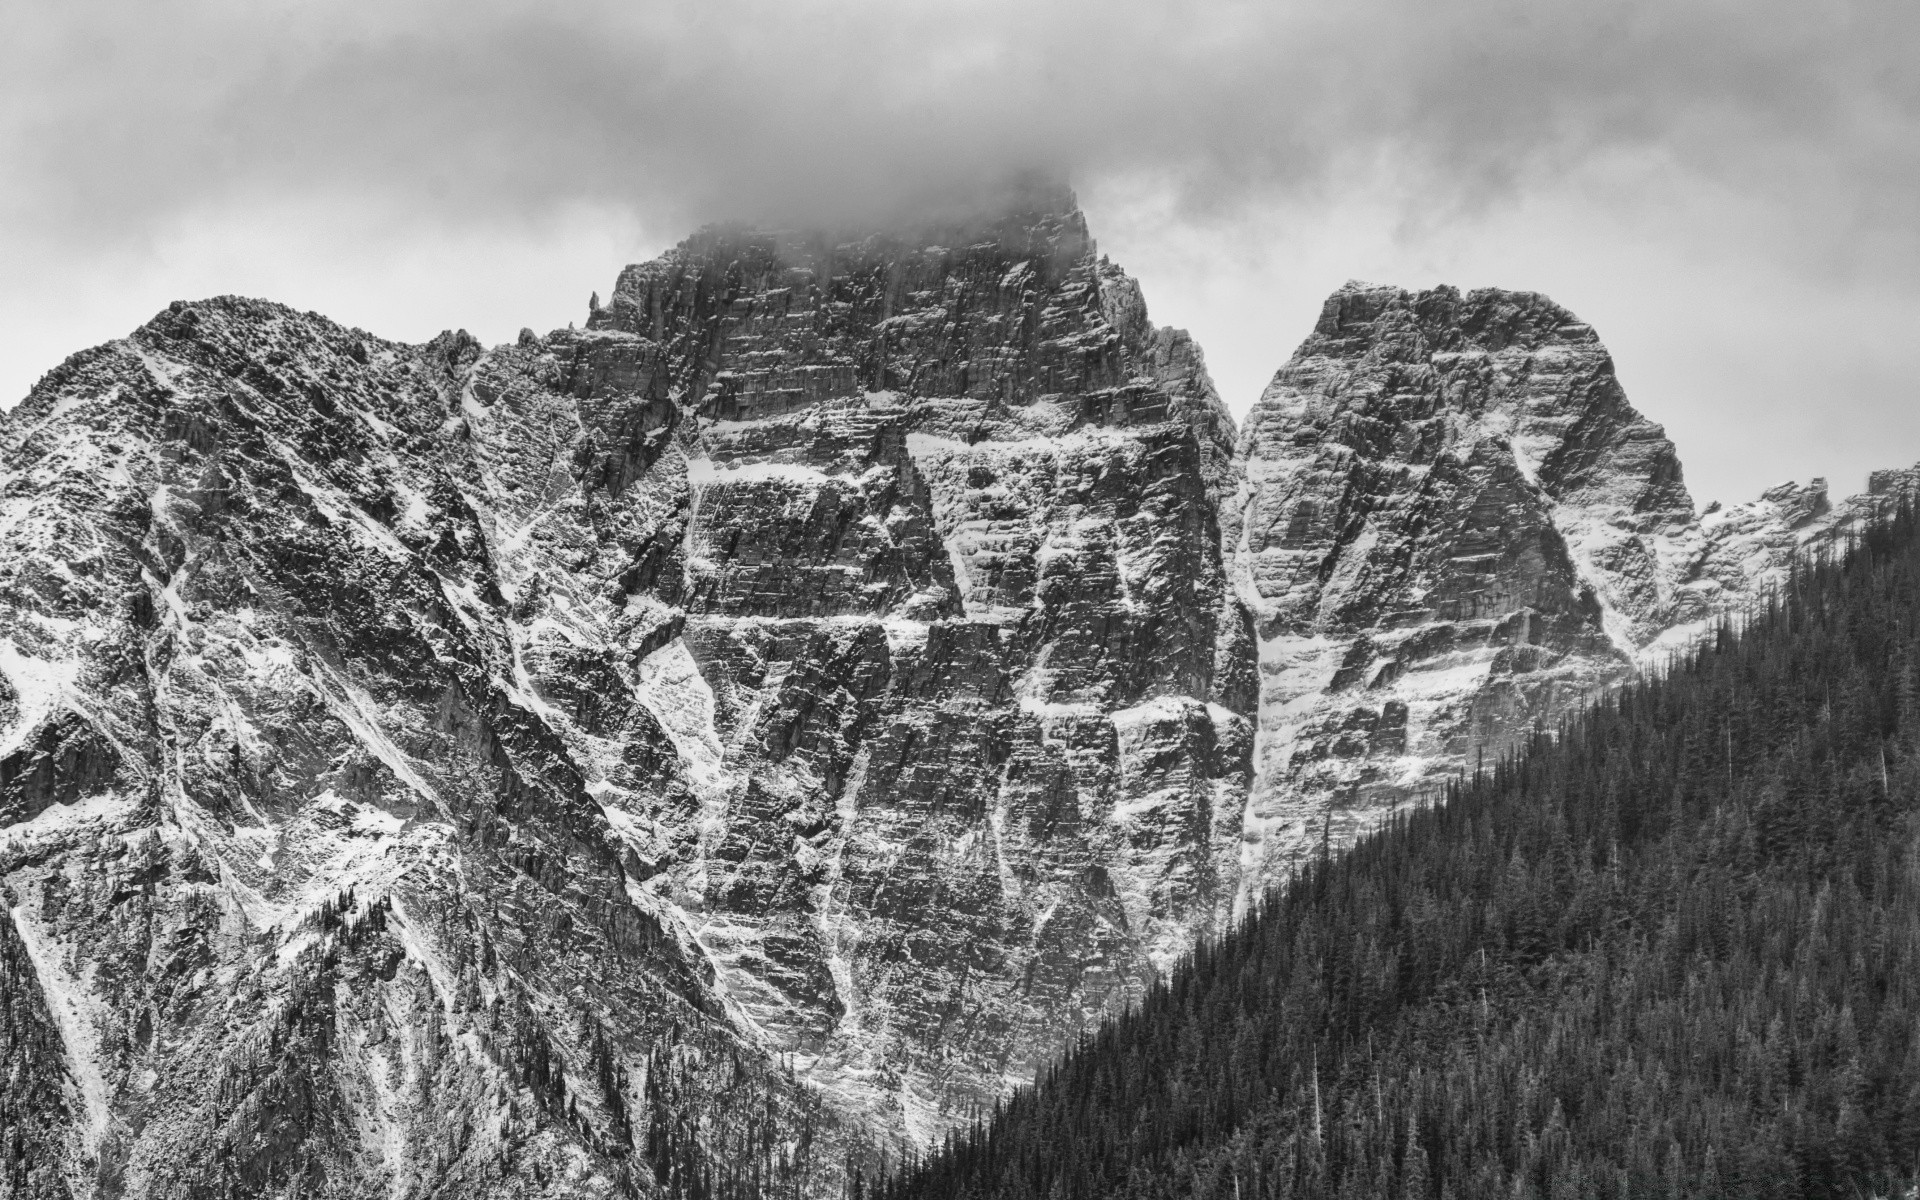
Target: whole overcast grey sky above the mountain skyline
1729,191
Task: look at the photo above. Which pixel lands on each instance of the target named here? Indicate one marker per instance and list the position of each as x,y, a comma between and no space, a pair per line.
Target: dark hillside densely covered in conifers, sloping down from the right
1671,951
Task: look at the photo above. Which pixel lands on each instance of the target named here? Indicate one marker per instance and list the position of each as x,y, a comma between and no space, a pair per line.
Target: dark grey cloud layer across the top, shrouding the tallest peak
491,110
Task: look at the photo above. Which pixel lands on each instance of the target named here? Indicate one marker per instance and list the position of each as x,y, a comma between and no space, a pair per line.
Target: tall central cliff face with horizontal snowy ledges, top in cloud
946,642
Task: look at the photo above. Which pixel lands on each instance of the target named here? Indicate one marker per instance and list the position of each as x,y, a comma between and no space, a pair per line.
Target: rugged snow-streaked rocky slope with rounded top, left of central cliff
300,865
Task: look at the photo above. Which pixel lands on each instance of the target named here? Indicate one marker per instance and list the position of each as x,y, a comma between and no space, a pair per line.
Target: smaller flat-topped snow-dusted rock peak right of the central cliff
1452,527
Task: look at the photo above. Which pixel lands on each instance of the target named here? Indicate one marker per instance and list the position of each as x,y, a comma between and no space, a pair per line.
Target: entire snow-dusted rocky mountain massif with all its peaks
736,742
